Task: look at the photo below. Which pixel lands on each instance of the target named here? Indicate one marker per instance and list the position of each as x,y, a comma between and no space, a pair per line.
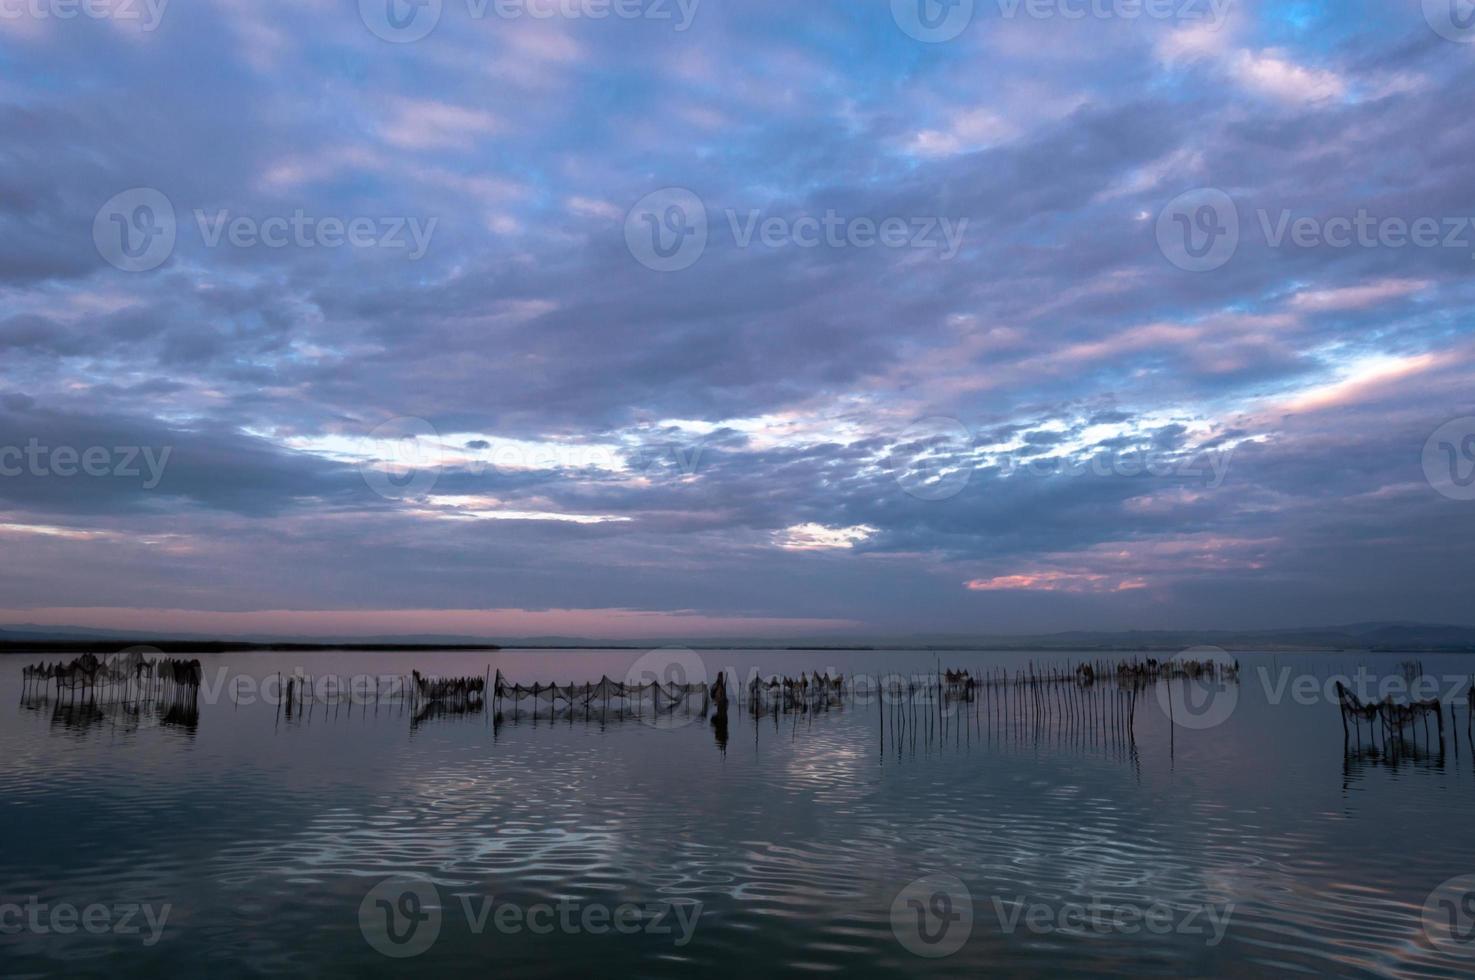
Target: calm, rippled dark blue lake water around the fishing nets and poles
1240,841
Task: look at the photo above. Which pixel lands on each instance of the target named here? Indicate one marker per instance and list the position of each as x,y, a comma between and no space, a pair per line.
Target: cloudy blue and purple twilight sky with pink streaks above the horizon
657,318
